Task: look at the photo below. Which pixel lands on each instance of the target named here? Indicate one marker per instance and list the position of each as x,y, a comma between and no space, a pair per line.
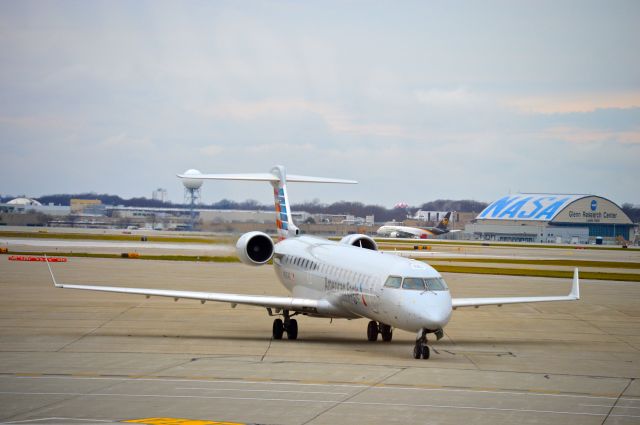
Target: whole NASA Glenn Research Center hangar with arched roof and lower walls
551,218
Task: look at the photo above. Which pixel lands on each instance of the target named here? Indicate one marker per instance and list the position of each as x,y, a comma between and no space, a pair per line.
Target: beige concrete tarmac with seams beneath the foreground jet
83,357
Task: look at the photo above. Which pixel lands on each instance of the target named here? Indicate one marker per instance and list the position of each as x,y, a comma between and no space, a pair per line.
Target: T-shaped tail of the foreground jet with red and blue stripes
278,178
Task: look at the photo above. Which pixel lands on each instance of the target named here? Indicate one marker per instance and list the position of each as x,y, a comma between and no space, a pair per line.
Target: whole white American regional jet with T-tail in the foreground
347,279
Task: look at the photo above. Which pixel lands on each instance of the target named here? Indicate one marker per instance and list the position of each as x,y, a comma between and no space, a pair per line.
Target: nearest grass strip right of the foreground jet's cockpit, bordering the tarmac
564,274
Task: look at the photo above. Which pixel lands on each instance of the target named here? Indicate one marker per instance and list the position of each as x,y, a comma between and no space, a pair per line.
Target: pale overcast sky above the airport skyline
416,100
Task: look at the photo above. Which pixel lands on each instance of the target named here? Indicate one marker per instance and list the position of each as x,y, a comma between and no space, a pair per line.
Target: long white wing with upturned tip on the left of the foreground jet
282,303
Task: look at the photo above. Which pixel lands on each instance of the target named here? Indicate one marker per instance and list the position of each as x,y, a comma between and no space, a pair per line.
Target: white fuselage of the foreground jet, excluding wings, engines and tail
350,281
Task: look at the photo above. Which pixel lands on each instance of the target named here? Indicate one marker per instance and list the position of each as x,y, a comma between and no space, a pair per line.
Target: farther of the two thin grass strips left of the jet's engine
112,237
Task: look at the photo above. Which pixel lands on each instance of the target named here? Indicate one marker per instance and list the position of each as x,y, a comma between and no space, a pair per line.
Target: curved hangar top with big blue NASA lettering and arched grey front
565,208
